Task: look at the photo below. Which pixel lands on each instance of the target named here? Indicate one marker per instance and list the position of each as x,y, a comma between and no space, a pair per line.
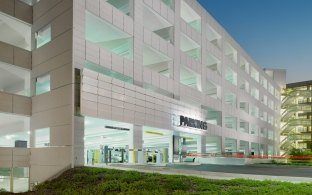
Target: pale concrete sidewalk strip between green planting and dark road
203,174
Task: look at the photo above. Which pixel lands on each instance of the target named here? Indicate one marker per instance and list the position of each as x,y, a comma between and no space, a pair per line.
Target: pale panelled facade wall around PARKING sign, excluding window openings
109,98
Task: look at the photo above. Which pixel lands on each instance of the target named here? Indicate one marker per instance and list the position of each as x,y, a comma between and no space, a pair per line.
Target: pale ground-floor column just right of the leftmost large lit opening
136,144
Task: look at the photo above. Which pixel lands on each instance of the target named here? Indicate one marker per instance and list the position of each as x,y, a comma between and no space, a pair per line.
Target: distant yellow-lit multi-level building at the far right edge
296,121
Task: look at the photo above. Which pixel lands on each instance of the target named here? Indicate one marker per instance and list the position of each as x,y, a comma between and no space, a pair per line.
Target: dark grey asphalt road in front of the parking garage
275,170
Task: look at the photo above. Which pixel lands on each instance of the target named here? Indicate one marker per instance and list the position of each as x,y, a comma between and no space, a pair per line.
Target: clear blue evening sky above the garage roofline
275,33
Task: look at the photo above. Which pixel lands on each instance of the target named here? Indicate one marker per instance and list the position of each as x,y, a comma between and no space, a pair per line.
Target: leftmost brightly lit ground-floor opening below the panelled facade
106,141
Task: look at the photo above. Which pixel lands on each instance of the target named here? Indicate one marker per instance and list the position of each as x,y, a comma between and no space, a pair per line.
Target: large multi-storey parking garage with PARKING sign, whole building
90,82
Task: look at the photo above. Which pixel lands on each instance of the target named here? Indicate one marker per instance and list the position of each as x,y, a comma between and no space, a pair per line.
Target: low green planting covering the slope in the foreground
88,180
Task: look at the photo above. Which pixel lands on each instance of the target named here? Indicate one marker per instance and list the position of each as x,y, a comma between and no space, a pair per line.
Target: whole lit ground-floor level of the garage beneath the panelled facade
107,141
